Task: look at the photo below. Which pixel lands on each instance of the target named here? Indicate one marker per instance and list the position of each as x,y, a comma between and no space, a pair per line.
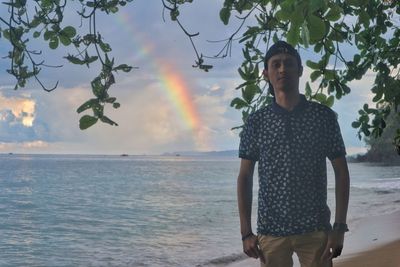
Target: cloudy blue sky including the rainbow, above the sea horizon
166,104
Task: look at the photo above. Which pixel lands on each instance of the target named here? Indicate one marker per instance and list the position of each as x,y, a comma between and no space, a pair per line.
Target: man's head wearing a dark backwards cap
283,67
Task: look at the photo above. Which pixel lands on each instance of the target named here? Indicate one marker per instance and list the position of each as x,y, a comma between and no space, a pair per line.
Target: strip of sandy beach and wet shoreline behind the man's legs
371,242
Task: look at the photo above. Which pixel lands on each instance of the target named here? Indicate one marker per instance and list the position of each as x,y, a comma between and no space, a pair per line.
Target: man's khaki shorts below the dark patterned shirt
309,247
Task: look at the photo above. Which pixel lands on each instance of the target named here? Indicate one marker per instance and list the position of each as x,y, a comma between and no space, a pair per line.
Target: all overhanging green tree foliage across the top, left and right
350,37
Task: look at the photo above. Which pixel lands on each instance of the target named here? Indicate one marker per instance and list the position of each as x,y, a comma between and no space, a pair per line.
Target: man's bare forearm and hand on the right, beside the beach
342,187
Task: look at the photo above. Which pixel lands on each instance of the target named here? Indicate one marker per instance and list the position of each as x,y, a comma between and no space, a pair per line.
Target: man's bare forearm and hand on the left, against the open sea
245,199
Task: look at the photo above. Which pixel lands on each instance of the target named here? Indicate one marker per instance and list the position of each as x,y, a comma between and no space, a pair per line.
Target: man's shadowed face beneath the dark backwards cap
283,72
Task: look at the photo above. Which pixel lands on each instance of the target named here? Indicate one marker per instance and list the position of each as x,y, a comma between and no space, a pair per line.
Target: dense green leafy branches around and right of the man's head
351,38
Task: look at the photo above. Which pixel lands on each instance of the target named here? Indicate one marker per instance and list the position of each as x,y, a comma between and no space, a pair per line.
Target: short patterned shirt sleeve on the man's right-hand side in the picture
335,144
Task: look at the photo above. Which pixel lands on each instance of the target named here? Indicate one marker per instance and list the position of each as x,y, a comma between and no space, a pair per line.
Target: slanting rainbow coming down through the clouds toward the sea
173,84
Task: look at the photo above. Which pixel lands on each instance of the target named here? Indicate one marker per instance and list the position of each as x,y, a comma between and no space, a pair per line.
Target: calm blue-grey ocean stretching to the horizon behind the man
75,210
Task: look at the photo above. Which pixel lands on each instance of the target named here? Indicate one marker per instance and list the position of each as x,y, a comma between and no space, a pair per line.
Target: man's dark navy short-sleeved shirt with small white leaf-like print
291,148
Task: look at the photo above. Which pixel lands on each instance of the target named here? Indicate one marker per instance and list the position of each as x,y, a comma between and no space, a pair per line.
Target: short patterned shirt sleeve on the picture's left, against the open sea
248,148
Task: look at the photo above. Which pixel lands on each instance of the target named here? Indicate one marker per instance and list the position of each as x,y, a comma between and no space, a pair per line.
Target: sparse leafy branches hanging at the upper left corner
44,19
